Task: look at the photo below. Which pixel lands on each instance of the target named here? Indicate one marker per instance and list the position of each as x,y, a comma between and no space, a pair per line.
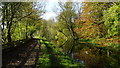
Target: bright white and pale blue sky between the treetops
51,8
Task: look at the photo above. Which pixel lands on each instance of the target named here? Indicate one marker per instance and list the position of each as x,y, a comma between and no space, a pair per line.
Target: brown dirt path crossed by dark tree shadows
23,57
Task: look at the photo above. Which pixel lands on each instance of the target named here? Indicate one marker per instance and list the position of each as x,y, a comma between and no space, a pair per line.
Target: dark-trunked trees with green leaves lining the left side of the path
19,20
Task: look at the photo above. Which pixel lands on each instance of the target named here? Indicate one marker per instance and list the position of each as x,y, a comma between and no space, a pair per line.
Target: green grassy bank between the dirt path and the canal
45,60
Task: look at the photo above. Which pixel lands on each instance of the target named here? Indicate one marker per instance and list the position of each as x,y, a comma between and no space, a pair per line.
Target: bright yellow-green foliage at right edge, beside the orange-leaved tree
112,20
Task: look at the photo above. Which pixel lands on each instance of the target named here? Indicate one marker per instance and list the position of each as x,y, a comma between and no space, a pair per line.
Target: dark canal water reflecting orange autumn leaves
92,56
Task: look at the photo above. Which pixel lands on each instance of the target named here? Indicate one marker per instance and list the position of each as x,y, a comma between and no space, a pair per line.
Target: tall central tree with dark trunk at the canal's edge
66,16
